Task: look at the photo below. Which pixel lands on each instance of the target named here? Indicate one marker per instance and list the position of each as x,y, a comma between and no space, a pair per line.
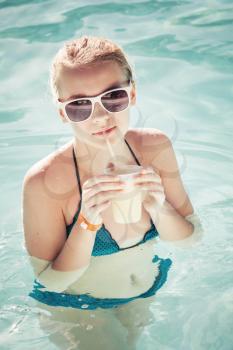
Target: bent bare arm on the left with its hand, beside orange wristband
62,260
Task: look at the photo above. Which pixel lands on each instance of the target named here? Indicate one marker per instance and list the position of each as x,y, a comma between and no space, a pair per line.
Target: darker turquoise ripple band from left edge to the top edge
73,20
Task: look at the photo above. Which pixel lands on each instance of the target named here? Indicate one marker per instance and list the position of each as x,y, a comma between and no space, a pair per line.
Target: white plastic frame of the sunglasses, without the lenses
93,100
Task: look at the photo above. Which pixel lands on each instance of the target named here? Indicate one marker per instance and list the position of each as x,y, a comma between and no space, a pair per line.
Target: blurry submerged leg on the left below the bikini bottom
69,328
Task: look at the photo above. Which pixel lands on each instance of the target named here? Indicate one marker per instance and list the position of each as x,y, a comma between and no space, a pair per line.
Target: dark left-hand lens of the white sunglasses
78,111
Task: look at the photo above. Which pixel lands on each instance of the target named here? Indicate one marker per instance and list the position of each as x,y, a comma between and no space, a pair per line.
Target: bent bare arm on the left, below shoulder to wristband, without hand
57,261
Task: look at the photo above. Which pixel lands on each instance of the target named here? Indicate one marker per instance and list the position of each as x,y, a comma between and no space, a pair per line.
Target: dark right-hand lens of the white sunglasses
115,101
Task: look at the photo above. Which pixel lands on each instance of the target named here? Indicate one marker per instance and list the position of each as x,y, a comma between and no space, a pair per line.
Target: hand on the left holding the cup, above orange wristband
97,194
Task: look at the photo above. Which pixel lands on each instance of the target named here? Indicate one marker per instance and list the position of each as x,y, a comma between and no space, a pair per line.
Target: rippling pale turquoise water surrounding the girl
182,54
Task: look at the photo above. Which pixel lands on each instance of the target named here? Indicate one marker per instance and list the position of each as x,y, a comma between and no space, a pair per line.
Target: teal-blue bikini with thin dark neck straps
104,245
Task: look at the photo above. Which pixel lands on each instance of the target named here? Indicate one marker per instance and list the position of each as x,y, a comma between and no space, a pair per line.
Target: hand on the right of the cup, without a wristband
150,182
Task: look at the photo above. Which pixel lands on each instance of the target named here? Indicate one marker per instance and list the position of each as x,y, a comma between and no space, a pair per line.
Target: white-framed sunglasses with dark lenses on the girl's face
81,109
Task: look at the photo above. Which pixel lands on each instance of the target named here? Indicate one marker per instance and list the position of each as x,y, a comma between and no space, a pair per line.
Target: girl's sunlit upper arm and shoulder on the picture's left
43,206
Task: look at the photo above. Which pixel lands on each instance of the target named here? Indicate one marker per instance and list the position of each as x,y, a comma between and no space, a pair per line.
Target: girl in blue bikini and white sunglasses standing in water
81,257
